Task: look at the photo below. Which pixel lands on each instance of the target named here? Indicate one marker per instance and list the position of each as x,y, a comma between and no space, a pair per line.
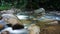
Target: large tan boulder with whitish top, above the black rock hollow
10,18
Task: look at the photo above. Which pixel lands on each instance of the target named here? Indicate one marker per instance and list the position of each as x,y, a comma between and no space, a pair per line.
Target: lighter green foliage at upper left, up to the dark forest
7,4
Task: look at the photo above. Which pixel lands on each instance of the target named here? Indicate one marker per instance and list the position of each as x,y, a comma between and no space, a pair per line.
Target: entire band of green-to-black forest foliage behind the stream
30,4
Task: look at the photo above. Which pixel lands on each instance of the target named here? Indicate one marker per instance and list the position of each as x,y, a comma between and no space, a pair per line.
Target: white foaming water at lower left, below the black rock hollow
18,31
